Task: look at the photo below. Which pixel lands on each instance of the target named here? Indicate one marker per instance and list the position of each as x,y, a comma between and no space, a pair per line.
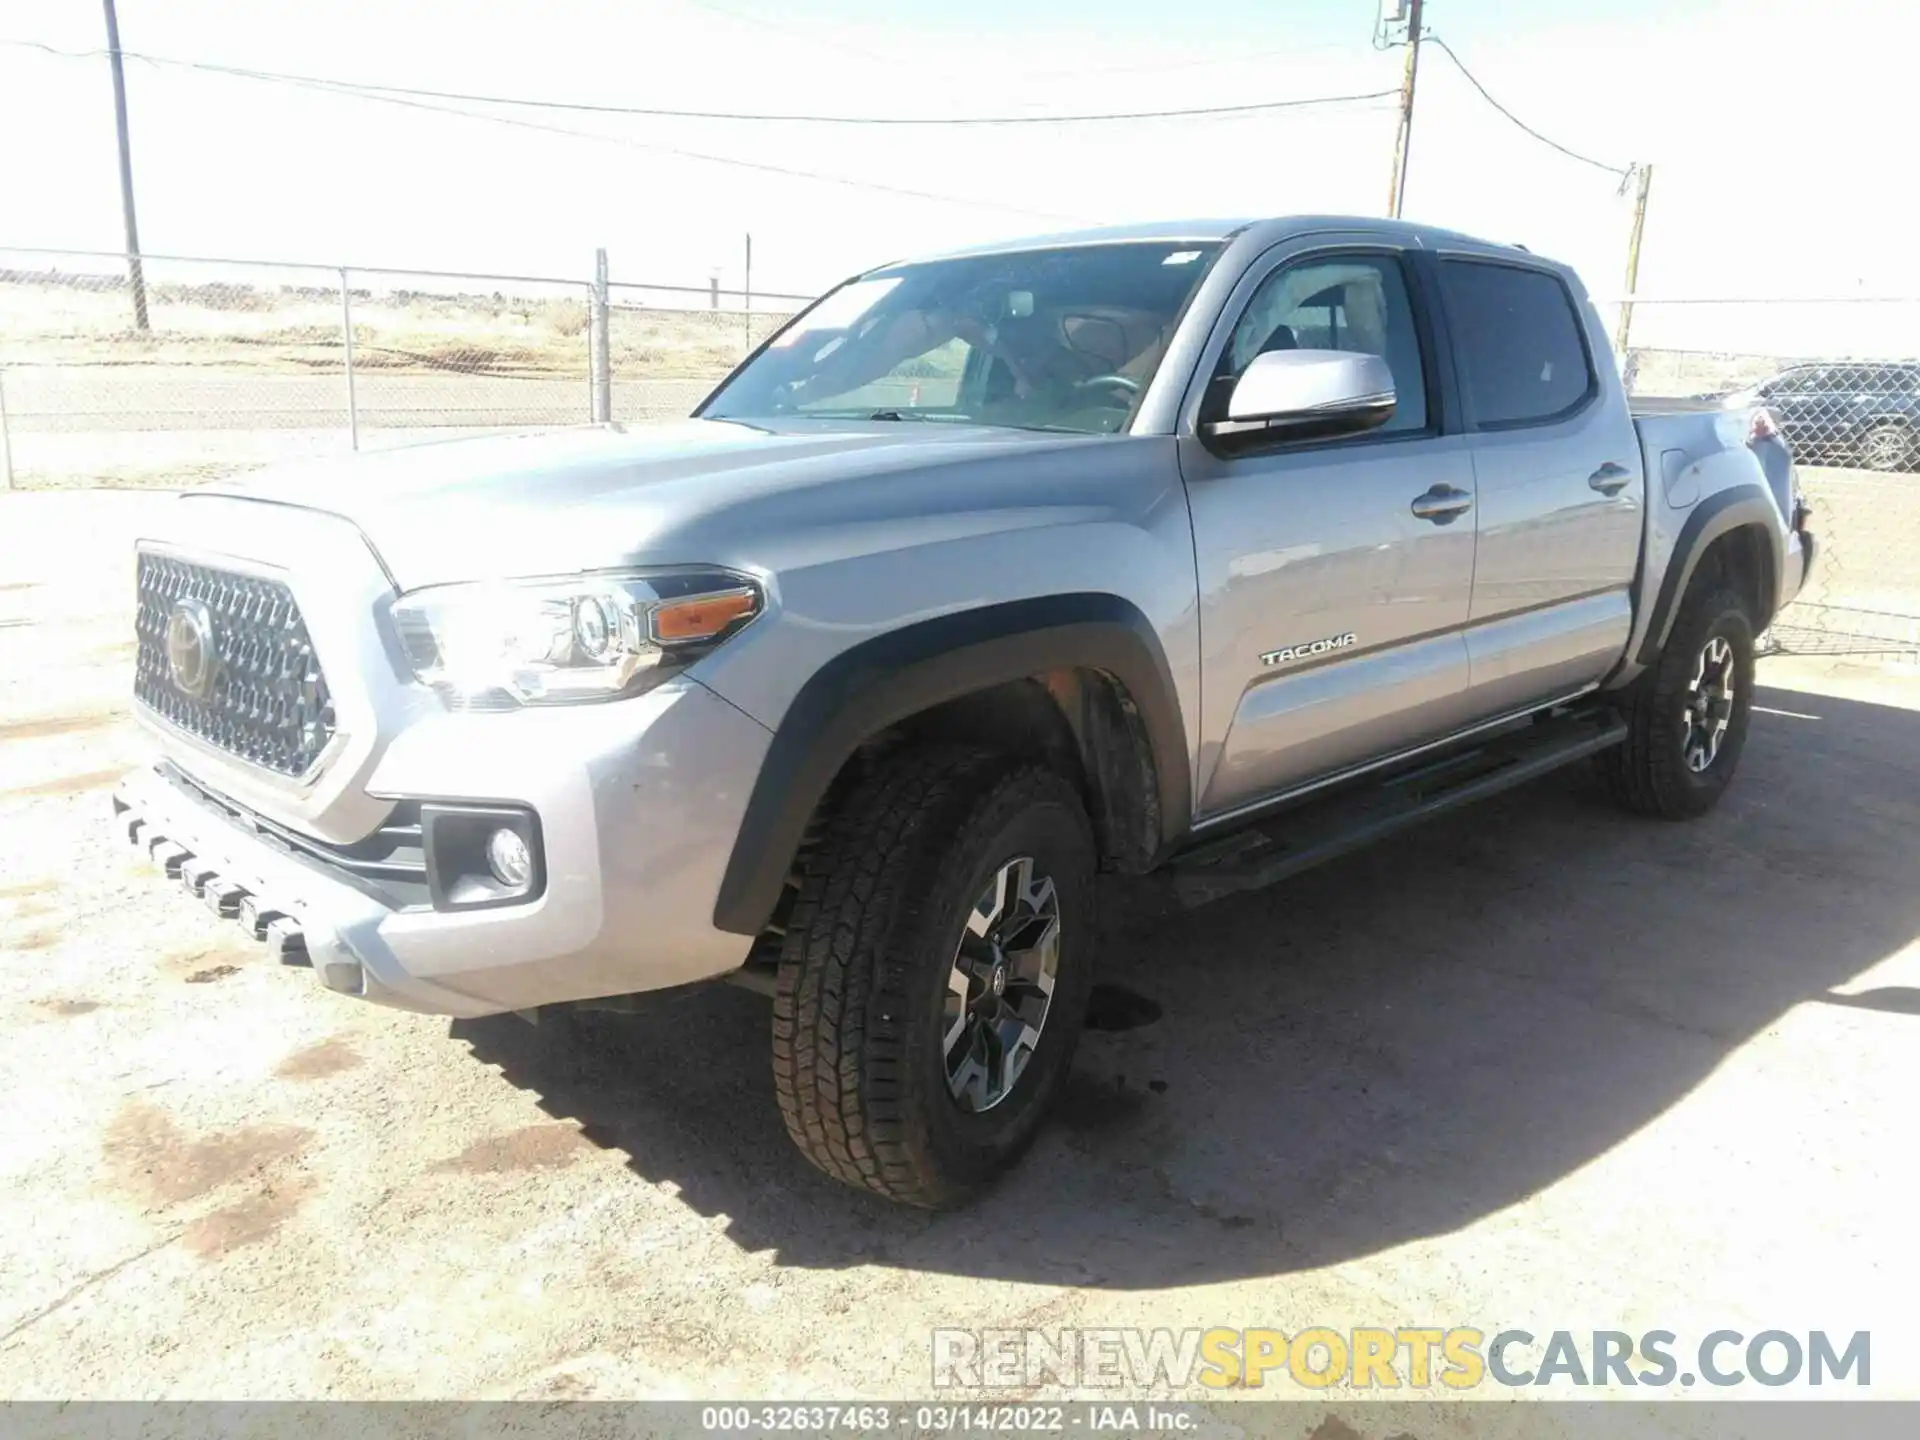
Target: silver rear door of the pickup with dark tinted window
1560,487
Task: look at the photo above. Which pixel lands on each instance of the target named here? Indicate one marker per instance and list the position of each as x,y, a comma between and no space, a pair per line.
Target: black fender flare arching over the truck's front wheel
884,681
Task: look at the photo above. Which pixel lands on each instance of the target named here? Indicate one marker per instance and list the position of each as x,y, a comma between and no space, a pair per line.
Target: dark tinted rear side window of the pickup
1522,350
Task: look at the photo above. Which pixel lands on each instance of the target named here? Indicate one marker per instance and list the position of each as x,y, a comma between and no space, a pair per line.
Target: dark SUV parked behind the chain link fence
1861,414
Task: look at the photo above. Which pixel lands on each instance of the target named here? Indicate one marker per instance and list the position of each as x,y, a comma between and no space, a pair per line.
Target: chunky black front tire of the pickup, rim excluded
865,967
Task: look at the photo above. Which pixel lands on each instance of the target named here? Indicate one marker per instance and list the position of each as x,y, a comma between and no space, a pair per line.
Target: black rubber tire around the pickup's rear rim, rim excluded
1648,775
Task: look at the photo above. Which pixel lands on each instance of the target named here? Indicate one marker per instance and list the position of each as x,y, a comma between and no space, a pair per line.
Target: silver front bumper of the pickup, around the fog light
638,809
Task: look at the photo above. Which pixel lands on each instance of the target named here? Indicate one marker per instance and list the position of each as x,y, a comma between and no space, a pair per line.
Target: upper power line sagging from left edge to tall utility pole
656,112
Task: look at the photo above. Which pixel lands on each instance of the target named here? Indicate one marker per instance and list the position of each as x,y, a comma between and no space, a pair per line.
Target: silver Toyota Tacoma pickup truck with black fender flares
1209,550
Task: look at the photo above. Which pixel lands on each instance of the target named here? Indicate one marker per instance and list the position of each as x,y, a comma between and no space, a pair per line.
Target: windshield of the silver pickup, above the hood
1042,339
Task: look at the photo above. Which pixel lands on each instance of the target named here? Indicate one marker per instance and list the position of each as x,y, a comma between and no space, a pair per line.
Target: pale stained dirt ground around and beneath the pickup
1533,1067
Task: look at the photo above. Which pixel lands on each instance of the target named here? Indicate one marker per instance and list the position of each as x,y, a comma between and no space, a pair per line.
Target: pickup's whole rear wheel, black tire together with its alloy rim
1689,715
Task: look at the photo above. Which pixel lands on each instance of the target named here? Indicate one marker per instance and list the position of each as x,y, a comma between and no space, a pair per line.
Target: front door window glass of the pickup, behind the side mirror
1356,304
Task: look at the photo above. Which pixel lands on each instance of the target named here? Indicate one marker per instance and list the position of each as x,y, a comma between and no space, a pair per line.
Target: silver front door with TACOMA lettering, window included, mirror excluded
1335,577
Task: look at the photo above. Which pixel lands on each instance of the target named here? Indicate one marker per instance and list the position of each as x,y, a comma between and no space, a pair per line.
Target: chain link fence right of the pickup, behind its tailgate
1844,379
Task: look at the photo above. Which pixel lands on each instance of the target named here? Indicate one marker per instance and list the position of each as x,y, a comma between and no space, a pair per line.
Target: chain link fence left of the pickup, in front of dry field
243,364
